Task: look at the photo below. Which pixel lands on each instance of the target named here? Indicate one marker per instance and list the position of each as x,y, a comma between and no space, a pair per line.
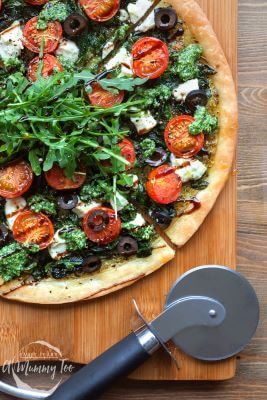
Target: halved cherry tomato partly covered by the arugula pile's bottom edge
57,179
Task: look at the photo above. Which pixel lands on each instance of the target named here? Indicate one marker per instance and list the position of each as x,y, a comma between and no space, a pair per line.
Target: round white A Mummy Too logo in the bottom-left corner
37,359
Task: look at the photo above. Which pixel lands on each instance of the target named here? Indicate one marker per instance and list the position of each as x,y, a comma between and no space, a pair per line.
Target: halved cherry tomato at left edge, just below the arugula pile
15,179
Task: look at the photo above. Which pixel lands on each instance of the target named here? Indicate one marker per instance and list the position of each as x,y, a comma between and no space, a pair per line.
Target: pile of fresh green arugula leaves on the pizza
52,120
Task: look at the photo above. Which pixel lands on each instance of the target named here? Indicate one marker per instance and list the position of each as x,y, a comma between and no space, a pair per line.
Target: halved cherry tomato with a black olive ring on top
101,225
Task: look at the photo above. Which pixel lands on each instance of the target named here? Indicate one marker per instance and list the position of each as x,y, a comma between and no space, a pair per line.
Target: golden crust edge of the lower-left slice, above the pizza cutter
109,279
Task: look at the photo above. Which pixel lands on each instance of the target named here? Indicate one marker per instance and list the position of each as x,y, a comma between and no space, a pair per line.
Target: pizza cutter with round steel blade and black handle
210,313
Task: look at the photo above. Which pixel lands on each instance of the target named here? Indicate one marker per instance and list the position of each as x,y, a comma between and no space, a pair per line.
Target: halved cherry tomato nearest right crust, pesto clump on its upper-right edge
178,139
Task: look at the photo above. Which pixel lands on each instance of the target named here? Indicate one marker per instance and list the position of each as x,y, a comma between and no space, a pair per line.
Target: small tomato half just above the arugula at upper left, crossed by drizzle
50,65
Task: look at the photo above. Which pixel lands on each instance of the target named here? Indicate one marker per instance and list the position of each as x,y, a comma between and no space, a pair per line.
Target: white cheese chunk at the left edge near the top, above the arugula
11,42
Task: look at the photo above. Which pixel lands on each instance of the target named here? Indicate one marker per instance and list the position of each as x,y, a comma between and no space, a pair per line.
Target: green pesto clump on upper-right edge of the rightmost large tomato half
204,122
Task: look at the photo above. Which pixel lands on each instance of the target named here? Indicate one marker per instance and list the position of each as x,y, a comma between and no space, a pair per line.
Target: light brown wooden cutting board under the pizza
82,331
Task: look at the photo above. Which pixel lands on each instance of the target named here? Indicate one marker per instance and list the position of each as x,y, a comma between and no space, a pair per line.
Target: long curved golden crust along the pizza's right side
182,228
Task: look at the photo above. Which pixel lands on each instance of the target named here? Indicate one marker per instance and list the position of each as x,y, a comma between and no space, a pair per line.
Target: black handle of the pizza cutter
93,379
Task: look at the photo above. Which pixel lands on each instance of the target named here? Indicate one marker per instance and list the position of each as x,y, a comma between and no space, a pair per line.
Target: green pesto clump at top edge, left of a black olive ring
54,10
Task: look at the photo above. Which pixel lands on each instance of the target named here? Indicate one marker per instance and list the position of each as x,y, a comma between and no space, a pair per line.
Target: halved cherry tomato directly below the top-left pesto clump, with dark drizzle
34,37
